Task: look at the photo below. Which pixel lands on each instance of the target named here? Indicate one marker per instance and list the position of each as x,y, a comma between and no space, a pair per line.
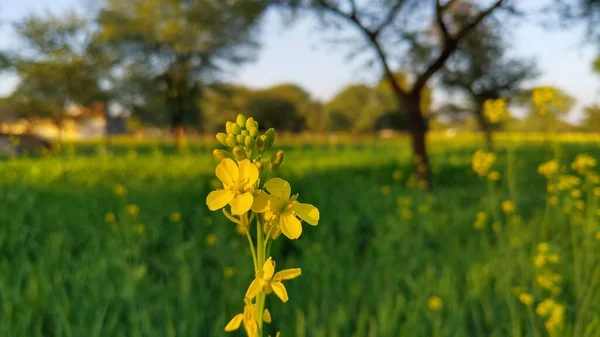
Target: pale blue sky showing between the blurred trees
297,54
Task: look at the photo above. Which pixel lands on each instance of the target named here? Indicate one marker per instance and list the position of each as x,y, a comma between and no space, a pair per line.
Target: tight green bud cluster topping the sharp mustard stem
243,141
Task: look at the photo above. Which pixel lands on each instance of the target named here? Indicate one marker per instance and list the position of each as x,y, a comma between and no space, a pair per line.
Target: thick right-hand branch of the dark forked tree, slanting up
449,46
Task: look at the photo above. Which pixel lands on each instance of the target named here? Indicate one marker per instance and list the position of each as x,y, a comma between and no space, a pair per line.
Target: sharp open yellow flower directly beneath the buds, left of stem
238,185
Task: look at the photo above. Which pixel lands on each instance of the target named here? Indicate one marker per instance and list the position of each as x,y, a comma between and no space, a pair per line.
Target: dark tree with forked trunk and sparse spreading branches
396,26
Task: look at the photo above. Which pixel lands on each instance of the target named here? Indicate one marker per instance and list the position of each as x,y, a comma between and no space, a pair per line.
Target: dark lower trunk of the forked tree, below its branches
418,130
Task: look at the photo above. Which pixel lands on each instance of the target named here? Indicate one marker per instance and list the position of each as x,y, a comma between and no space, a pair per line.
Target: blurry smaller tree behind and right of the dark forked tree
481,70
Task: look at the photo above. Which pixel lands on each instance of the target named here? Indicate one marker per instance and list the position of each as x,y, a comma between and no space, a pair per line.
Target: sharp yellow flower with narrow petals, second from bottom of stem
268,281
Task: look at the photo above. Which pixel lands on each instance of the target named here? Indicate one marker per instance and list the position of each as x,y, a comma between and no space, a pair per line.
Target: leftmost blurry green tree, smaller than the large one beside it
58,66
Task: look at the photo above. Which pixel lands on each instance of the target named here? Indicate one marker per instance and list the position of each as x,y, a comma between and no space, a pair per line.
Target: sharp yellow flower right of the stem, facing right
282,210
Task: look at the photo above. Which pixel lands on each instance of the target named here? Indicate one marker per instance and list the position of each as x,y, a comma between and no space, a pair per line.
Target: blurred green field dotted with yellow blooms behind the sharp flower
78,260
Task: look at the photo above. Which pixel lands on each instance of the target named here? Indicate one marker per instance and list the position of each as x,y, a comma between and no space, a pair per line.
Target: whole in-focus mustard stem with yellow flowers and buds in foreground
243,170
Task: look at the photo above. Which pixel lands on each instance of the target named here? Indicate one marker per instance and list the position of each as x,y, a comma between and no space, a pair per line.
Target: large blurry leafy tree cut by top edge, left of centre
182,44
